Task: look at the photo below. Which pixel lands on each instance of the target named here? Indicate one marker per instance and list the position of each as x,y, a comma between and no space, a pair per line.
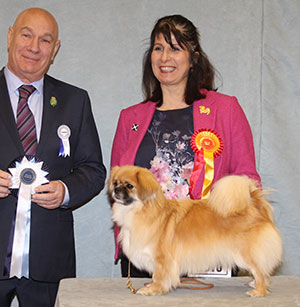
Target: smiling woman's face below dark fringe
170,65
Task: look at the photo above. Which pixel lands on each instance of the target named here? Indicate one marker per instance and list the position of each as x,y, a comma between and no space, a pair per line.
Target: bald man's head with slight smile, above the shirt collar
32,45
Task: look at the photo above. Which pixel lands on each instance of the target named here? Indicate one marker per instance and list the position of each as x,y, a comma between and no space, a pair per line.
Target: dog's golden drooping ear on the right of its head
147,185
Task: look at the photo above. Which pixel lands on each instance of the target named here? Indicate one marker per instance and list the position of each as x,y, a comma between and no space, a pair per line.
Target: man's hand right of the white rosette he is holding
50,195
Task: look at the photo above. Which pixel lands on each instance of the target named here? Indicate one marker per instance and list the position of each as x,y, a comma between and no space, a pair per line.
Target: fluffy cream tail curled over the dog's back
233,194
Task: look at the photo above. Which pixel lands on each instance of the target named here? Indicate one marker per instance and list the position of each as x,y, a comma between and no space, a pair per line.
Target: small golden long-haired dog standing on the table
169,238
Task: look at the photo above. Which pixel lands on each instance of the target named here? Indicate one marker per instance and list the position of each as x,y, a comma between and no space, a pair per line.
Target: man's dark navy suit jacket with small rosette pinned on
52,253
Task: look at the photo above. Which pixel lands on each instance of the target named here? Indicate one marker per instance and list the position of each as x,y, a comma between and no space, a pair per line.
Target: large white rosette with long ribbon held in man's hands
27,175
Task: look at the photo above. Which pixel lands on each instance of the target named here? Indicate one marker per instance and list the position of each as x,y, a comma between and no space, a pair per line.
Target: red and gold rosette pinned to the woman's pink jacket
207,145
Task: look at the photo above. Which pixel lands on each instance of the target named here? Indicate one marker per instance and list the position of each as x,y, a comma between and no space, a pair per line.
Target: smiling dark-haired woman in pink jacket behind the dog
186,133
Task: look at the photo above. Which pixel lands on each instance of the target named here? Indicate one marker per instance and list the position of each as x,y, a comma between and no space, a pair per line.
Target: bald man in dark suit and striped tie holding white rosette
64,138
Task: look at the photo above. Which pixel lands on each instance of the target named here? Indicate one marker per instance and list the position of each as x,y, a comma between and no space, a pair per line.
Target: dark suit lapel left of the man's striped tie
7,115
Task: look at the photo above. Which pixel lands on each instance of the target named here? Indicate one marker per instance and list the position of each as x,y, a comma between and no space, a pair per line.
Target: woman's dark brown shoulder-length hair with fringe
201,74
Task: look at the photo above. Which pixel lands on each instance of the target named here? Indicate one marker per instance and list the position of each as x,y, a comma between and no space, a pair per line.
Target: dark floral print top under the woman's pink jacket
166,151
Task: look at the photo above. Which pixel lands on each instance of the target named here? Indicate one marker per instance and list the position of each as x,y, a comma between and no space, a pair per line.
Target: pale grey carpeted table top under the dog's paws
94,292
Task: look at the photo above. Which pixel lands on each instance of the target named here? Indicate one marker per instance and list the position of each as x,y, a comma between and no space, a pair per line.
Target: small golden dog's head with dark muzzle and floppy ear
128,184
